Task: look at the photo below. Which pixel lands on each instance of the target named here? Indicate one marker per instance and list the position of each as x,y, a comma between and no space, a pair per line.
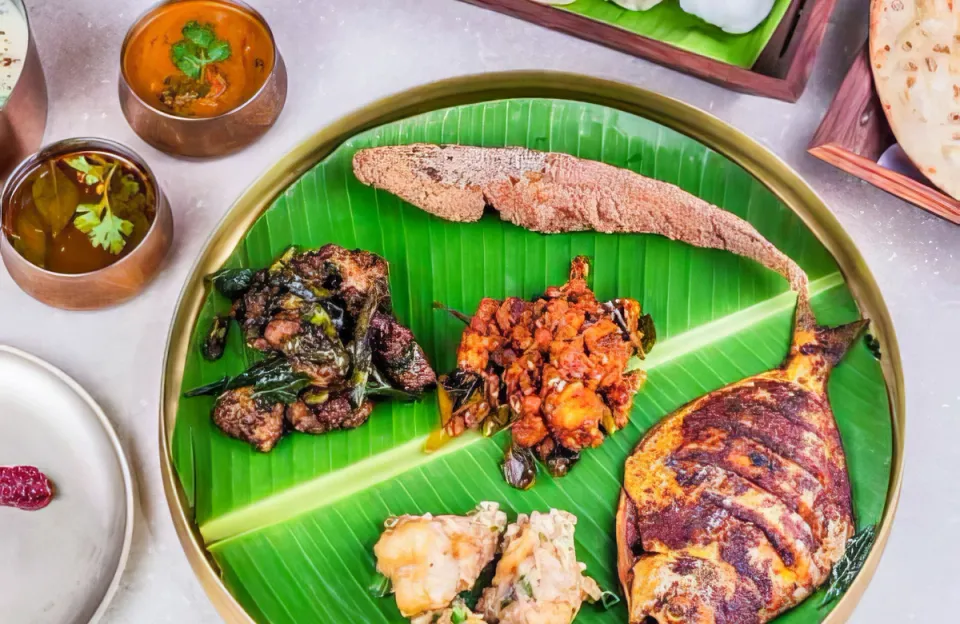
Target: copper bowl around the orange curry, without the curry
206,136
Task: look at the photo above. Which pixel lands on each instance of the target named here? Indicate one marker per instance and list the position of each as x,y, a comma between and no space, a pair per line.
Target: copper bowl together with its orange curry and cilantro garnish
201,78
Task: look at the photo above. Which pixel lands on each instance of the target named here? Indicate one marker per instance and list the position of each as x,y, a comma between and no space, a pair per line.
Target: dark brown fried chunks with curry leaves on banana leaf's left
323,318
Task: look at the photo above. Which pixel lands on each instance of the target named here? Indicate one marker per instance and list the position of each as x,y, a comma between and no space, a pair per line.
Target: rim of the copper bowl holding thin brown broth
64,146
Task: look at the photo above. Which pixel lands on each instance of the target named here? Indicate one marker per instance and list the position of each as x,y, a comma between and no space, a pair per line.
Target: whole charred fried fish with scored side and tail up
736,506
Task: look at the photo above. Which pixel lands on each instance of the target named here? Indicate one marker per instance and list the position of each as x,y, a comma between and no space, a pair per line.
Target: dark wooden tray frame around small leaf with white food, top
780,72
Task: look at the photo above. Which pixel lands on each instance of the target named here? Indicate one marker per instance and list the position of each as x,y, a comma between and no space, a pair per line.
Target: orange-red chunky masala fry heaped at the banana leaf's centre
553,369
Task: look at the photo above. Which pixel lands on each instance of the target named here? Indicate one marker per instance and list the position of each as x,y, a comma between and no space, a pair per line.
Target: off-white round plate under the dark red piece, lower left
60,564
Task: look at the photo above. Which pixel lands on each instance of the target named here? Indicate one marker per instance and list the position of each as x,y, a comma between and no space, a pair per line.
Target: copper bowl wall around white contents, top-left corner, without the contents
24,116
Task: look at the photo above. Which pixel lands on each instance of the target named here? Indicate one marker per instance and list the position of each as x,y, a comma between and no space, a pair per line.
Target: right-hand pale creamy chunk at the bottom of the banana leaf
538,579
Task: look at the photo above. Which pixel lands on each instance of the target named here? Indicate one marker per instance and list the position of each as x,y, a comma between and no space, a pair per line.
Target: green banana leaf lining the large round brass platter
292,531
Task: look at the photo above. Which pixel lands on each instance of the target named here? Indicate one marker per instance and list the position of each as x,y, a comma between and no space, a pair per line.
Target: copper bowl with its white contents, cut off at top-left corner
23,91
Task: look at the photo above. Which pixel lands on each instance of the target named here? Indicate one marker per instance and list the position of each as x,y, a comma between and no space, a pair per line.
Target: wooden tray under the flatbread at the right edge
854,133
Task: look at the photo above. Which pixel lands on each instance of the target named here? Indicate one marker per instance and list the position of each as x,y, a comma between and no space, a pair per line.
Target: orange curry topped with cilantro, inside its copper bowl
198,58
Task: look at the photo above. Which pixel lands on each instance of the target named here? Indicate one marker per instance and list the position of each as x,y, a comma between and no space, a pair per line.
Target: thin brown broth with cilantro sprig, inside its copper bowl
79,212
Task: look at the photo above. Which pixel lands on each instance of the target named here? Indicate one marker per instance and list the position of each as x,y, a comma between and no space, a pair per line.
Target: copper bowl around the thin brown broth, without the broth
110,285
